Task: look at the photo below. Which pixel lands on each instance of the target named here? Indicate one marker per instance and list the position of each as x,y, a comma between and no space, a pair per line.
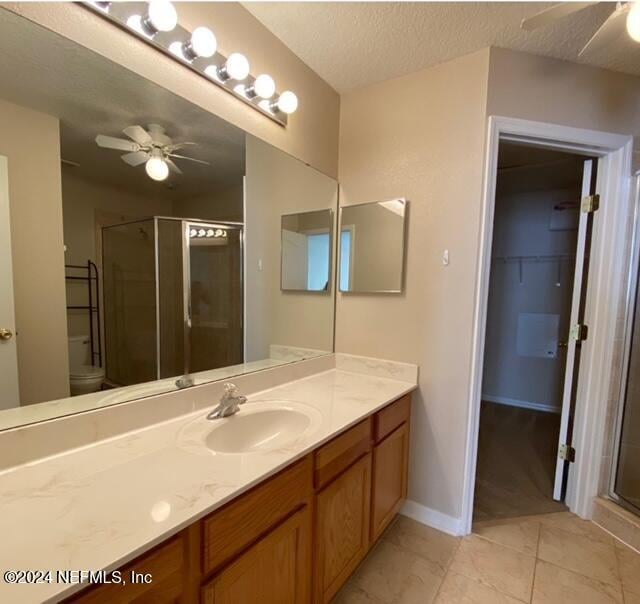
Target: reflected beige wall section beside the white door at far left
31,142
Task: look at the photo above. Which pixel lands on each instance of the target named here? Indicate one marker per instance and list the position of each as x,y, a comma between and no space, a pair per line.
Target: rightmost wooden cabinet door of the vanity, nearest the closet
389,489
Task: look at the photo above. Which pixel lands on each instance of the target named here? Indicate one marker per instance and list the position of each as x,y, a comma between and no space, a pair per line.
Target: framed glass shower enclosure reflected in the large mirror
173,298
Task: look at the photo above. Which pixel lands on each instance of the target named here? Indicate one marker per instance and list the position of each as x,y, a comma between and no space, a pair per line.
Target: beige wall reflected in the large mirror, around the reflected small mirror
278,184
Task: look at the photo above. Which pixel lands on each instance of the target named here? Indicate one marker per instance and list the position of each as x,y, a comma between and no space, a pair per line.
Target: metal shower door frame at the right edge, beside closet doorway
630,312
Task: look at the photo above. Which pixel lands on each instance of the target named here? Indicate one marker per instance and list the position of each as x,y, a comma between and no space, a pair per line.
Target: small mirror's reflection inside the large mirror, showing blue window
306,251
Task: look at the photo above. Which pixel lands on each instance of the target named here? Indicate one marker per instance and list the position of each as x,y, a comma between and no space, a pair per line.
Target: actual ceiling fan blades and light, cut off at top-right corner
625,16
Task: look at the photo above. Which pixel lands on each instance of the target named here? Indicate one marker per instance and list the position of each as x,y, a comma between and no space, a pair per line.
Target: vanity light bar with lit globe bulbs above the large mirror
156,22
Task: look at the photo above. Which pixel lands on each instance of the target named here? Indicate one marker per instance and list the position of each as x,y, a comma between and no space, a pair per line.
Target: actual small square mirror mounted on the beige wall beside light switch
372,247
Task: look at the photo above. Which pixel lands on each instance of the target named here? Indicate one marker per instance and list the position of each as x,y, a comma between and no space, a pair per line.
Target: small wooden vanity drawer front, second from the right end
338,454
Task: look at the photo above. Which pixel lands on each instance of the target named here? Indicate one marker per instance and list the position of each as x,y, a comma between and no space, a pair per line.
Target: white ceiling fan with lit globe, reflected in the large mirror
151,147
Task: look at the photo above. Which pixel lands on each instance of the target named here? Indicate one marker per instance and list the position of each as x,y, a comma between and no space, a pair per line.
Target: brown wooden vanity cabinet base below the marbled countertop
295,537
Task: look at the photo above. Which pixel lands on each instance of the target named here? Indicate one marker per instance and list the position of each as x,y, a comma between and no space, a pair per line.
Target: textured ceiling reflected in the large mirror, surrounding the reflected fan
91,95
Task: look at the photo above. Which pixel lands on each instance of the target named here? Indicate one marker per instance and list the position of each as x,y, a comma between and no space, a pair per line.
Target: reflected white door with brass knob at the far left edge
8,352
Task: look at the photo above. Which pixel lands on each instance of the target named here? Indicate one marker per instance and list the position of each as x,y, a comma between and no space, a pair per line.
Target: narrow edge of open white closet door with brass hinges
577,318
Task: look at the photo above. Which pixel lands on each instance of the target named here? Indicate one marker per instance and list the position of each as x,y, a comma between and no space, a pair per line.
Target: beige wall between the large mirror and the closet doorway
422,137
